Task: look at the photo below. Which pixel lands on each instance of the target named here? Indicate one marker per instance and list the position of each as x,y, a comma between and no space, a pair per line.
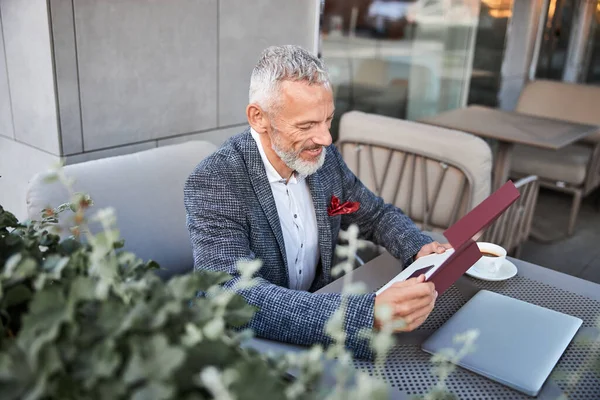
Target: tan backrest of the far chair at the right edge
562,100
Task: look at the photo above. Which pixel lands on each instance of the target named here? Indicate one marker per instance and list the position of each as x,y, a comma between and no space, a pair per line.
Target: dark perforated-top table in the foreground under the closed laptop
408,370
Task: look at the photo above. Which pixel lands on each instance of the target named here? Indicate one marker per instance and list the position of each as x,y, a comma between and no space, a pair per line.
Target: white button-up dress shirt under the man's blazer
298,222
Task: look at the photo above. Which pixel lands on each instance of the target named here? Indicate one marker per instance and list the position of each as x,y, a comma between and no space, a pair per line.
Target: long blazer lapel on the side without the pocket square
262,188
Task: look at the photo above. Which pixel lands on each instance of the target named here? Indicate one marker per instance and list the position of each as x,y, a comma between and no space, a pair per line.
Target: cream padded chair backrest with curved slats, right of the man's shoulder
434,175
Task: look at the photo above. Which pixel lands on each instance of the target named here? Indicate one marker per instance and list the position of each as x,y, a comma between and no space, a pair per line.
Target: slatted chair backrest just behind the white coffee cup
512,229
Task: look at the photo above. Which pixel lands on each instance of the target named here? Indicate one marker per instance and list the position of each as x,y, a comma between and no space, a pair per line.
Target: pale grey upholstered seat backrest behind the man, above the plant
146,191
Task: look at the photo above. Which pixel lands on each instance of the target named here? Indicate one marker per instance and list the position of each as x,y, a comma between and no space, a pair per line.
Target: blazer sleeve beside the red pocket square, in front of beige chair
381,223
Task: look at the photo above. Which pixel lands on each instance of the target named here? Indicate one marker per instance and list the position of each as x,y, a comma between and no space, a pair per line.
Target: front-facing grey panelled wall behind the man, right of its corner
163,72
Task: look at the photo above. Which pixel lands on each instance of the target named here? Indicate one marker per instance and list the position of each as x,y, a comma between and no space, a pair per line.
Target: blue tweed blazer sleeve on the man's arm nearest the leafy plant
219,232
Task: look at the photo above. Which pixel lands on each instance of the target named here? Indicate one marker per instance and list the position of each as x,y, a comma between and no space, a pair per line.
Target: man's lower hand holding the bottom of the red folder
410,301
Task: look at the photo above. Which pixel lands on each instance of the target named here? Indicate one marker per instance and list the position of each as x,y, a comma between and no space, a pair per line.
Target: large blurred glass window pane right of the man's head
401,58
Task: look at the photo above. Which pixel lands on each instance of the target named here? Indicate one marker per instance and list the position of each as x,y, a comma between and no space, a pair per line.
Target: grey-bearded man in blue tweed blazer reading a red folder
265,195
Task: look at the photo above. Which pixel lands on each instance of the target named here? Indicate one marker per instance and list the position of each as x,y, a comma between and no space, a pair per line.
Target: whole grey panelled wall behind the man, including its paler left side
88,79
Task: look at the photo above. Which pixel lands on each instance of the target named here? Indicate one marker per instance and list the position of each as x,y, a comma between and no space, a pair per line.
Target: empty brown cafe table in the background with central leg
508,128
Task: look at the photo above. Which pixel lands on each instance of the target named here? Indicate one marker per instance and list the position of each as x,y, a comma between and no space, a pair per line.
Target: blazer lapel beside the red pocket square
324,225
